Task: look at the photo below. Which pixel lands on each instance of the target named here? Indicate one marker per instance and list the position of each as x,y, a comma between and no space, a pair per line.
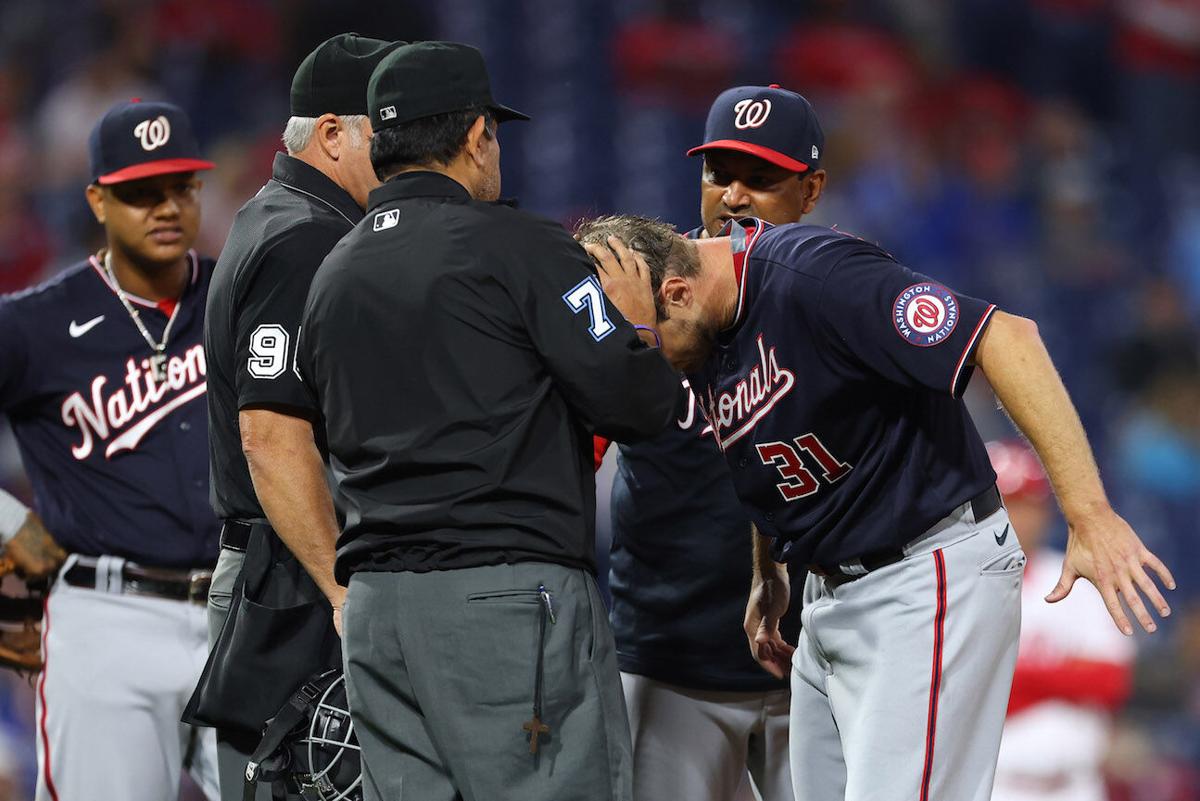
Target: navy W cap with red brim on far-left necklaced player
136,141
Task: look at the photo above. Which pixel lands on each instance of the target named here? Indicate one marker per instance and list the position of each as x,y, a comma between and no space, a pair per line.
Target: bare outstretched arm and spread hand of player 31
1101,545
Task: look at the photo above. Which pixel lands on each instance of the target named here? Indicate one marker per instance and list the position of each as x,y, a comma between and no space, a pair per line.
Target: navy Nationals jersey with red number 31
835,394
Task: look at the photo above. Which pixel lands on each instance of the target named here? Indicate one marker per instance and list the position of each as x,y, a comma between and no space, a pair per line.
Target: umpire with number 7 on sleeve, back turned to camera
463,354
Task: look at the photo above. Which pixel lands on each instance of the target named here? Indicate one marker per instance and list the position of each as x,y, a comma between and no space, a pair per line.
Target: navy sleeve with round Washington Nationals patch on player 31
899,324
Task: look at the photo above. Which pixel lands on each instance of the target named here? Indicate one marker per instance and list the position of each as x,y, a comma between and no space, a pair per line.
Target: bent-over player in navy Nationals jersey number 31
832,378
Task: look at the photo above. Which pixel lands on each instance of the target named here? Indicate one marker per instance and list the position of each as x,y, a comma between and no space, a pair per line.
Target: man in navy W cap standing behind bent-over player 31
703,713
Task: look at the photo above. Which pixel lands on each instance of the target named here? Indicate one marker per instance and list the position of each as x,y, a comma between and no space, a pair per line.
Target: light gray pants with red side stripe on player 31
901,680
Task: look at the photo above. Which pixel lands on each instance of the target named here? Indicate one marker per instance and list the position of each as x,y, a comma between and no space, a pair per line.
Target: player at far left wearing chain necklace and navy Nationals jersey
104,383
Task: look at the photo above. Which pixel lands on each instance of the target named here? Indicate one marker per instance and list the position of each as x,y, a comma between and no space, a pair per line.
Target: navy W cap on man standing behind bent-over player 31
773,124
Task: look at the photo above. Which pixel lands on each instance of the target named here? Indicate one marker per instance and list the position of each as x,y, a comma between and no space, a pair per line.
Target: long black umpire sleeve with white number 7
610,378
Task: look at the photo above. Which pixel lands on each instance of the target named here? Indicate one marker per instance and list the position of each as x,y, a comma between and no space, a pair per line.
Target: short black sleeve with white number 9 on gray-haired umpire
268,321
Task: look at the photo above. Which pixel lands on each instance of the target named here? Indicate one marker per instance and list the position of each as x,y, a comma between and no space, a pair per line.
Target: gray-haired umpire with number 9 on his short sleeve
268,478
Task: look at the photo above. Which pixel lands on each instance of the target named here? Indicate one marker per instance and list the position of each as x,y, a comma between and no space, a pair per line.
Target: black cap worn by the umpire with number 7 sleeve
428,79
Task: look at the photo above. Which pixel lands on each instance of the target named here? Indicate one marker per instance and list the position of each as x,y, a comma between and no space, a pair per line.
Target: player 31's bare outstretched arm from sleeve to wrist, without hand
1016,362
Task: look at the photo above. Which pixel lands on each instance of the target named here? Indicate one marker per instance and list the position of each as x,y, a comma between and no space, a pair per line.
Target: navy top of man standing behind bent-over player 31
682,563
